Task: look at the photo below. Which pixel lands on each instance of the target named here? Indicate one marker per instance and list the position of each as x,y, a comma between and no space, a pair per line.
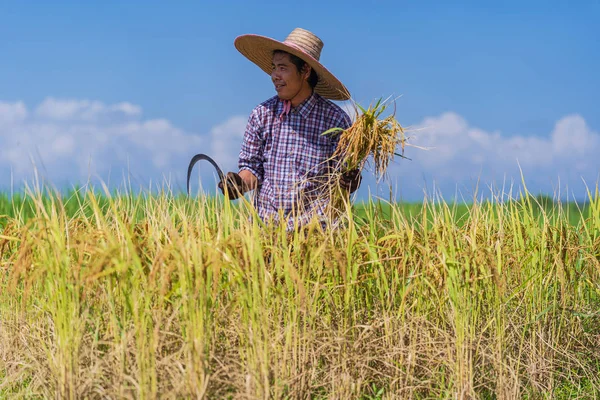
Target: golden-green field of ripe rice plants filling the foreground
161,296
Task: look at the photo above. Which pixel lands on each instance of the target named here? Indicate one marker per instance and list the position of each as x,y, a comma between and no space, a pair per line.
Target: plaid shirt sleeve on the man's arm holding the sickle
251,153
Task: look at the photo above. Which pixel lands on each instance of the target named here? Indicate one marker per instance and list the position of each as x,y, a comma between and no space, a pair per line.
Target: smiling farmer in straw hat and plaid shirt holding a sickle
285,156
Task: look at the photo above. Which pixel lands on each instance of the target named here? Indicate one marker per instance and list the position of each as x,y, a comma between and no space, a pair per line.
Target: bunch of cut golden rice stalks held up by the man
370,136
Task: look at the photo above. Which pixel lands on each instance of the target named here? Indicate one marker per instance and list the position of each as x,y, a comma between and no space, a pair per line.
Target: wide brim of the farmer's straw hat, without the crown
259,50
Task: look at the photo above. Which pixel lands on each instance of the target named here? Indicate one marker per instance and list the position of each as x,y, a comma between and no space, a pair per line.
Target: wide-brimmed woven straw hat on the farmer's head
301,43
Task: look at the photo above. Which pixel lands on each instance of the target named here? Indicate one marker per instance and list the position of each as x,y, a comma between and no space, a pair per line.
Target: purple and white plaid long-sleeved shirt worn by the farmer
288,155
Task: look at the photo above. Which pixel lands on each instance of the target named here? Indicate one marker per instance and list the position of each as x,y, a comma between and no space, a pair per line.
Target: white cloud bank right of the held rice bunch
460,154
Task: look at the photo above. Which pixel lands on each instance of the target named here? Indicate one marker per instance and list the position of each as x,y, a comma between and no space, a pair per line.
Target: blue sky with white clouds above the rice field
98,88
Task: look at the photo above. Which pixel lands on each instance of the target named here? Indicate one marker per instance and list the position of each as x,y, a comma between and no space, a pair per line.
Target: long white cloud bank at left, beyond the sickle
70,140
